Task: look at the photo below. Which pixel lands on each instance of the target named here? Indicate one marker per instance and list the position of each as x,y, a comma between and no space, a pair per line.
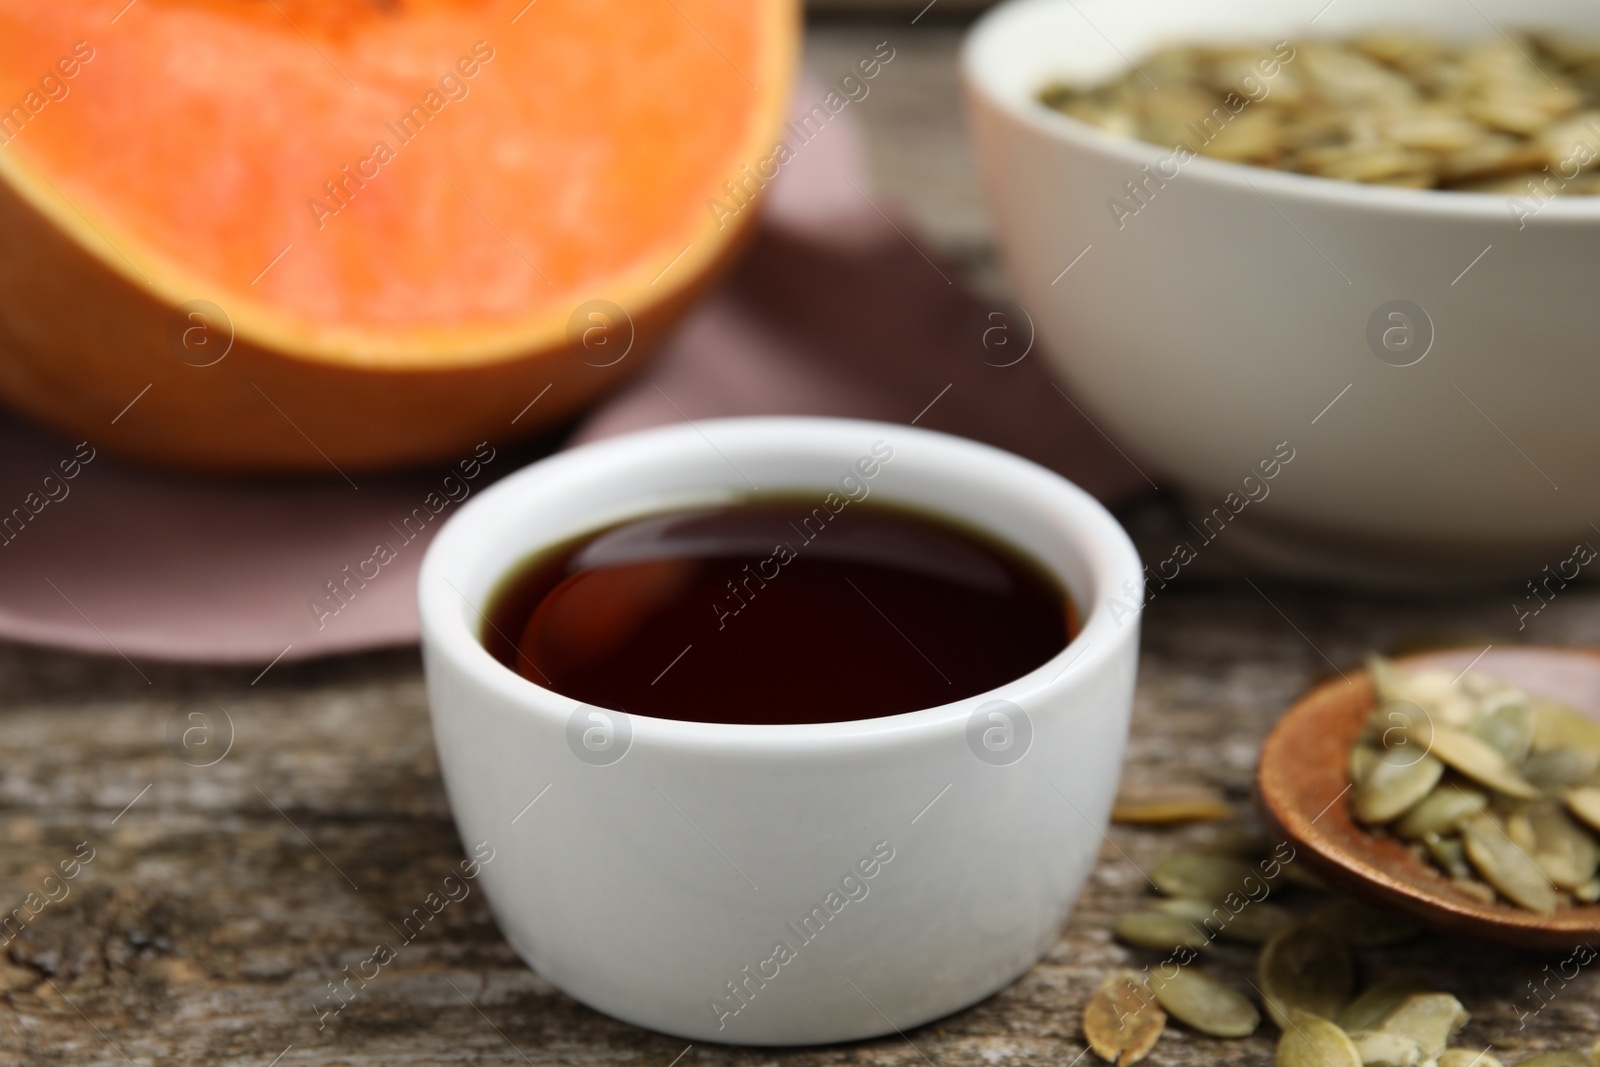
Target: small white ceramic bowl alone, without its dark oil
652,868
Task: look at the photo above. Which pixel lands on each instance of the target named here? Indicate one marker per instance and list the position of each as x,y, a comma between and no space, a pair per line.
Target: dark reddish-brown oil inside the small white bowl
778,610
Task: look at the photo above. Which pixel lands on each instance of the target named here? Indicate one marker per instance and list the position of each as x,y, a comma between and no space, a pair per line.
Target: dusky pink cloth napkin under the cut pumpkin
836,310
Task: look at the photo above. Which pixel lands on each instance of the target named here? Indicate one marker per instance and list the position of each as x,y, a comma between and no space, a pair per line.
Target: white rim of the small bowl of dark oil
1105,553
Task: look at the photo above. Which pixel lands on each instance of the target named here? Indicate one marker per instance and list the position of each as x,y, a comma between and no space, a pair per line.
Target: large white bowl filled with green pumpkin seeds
1327,268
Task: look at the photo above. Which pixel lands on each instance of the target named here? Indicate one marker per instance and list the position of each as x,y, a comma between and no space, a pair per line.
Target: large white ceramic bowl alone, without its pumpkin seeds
1234,305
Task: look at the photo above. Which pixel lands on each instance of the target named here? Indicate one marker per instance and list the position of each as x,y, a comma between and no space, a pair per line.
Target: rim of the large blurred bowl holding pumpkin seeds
1017,18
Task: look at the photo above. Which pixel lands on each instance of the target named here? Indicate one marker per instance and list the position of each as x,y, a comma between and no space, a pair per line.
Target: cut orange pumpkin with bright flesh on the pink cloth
295,234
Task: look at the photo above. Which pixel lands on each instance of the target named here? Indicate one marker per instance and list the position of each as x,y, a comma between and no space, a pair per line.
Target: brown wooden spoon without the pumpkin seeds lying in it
1303,786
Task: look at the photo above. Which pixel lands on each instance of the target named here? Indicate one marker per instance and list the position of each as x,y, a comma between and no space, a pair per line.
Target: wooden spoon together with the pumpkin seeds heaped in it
1460,788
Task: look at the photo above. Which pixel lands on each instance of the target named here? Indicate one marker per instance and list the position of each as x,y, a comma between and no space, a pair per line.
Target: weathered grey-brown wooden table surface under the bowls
222,900
